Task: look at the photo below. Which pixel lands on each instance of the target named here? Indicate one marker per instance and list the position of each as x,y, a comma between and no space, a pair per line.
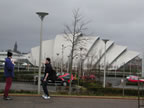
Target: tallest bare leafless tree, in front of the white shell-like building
73,34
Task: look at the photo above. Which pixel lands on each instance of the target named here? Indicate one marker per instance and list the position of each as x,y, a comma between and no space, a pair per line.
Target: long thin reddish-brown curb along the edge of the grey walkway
88,97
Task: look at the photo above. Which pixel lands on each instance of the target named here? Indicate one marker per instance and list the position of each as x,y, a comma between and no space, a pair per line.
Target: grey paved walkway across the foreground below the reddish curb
61,102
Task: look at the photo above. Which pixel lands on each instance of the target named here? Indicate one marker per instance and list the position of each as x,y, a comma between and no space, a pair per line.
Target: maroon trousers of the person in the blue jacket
7,86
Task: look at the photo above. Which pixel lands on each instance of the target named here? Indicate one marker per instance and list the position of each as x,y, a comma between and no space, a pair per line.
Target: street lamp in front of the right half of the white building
104,79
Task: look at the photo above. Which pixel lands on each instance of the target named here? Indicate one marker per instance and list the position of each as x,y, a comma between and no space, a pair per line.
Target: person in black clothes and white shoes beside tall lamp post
47,74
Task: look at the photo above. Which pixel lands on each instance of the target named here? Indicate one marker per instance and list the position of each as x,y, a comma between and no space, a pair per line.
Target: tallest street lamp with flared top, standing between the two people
41,15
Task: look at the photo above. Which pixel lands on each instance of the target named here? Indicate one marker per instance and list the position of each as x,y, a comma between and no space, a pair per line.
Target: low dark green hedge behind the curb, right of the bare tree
95,88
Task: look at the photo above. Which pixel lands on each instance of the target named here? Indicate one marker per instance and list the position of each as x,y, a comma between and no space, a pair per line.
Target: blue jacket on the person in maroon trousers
8,68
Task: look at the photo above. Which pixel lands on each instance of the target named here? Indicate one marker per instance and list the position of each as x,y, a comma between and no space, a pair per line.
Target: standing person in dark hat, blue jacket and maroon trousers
9,74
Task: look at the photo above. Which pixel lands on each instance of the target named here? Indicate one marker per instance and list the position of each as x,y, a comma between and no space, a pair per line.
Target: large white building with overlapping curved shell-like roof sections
90,50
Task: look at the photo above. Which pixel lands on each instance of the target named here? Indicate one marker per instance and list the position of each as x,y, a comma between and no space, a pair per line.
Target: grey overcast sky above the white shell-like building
119,20
